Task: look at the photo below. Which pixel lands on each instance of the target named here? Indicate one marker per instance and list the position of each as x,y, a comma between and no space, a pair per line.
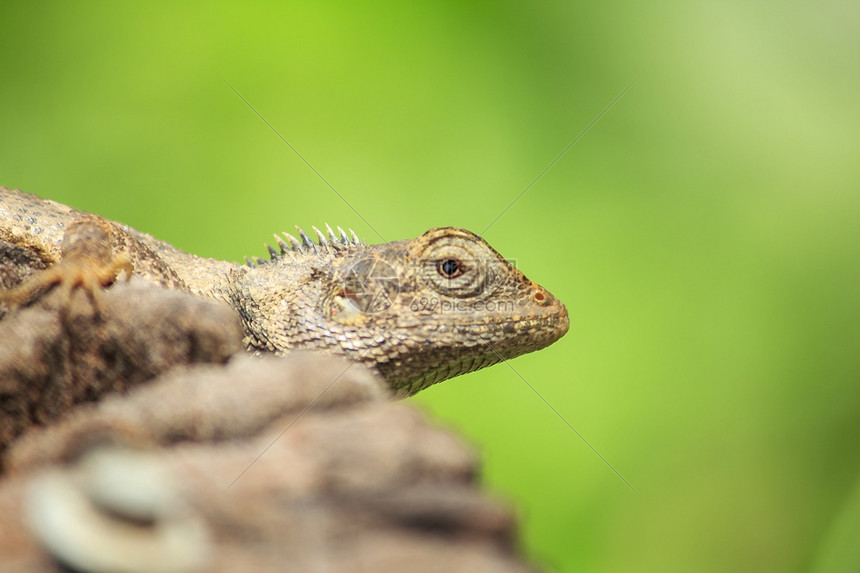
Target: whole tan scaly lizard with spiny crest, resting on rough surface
417,311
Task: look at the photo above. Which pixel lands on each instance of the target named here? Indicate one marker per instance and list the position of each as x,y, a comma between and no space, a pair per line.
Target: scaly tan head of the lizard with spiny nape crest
419,311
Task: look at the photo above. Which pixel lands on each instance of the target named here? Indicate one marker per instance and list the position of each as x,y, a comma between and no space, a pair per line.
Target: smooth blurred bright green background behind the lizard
704,233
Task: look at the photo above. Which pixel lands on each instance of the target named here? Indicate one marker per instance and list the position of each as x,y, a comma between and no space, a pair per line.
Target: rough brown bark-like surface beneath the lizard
169,449
